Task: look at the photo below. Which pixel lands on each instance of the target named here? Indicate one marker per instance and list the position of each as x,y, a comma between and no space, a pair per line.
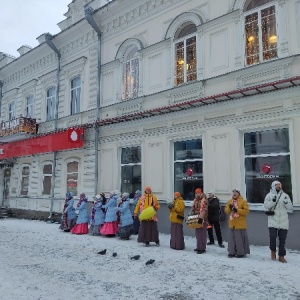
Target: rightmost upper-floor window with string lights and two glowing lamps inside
260,32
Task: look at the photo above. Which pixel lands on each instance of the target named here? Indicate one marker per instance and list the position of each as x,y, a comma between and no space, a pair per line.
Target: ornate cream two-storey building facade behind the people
174,94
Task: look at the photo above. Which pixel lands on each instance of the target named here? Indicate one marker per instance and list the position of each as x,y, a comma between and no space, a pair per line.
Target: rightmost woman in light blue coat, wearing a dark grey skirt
125,228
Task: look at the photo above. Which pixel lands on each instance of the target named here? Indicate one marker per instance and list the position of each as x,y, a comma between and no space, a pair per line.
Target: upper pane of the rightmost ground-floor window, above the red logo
265,142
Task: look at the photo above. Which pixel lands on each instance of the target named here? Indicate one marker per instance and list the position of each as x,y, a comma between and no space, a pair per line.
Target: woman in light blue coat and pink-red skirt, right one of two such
110,226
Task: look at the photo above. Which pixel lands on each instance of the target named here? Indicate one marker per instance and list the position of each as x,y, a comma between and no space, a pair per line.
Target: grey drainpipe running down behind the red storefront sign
49,42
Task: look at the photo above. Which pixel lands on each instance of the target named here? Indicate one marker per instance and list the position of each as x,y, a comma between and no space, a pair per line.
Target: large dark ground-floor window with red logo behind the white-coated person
267,158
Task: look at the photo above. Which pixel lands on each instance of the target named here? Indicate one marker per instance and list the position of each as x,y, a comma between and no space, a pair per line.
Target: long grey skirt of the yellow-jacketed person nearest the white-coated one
238,243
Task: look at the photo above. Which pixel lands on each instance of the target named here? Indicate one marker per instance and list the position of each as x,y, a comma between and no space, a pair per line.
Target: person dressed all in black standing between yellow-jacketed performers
214,219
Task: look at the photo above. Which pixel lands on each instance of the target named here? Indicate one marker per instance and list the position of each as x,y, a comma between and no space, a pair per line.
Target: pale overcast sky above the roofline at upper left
22,21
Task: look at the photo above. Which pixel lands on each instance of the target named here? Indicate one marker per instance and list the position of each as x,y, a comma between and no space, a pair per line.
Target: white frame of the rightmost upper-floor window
259,10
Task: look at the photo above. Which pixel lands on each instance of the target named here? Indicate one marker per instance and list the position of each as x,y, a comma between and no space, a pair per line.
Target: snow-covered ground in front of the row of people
38,261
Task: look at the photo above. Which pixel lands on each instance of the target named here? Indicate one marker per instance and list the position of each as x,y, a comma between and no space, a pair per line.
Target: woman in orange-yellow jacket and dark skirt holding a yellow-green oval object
148,229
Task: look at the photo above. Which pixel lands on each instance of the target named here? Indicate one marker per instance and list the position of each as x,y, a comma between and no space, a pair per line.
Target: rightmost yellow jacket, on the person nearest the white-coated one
242,210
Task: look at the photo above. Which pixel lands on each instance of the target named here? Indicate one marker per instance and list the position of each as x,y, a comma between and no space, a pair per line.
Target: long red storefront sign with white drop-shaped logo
69,139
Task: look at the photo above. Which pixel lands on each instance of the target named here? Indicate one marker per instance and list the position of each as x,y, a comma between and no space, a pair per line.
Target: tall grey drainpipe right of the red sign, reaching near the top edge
89,17
